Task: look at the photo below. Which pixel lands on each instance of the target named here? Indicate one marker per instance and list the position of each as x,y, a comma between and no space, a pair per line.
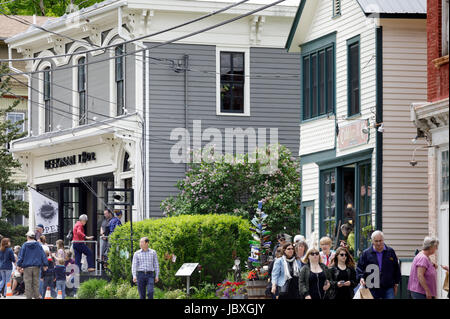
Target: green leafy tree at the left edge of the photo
8,164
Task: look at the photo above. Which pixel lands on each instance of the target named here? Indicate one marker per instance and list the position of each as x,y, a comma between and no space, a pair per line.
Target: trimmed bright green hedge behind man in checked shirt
210,240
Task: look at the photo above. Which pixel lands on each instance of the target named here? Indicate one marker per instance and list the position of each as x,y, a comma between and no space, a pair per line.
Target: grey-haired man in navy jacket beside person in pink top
384,258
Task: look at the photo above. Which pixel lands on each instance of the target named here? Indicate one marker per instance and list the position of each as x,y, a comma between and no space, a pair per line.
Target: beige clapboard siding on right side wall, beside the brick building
405,188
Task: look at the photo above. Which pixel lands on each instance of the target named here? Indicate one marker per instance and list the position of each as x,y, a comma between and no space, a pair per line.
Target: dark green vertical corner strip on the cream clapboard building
379,135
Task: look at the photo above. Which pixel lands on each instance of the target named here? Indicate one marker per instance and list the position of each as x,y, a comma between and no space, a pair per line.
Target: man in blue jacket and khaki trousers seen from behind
31,259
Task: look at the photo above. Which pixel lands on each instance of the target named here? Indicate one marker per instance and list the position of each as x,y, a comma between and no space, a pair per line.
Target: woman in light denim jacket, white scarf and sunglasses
285,274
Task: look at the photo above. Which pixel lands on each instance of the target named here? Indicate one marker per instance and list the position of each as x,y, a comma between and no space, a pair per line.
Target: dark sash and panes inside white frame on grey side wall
232,80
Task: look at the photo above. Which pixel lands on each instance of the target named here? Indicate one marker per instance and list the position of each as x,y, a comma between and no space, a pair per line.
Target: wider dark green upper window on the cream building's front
318,77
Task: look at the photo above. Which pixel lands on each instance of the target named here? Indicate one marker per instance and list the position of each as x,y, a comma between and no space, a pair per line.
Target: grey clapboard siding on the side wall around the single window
273,104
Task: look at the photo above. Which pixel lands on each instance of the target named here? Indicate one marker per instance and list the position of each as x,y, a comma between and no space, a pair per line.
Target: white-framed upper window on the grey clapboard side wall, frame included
232,81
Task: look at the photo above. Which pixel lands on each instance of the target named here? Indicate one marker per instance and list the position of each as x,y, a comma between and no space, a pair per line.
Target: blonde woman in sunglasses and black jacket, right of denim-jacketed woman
315,278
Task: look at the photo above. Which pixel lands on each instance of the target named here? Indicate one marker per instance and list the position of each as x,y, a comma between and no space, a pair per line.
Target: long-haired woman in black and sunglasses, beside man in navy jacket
343,274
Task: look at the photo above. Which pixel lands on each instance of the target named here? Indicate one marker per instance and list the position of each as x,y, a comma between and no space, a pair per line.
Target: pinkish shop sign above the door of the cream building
353,134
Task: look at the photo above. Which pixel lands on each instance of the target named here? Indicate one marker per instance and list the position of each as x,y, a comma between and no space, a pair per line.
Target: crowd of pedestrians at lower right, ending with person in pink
299,272
